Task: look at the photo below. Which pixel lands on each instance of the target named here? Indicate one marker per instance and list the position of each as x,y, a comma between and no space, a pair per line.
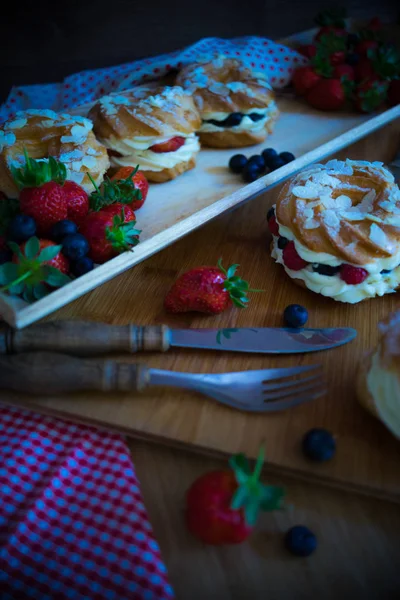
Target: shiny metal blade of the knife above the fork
267,340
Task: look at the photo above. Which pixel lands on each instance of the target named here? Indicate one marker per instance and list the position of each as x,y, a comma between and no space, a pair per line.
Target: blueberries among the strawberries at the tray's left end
74,245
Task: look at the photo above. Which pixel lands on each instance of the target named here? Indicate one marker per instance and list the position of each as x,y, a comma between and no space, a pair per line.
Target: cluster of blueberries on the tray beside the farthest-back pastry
251,168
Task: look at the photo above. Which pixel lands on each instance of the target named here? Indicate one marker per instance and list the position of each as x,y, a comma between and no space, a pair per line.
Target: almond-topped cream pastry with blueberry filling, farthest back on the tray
236,104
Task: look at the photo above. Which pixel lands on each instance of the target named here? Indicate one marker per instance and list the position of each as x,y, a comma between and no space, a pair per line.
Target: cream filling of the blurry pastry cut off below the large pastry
384,387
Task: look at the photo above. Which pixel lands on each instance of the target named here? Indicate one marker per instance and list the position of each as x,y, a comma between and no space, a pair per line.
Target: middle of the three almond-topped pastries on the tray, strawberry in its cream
150,127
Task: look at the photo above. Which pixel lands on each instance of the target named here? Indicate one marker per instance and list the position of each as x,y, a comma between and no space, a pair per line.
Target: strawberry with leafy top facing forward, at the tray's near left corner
36,268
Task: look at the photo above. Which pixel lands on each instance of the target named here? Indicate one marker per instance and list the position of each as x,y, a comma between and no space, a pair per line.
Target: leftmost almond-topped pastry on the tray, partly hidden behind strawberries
44,133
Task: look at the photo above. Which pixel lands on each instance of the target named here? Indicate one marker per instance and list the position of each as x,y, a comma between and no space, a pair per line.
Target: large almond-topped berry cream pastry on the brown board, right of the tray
336,230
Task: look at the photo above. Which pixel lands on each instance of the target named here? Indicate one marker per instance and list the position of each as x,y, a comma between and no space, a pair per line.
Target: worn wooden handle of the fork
45,373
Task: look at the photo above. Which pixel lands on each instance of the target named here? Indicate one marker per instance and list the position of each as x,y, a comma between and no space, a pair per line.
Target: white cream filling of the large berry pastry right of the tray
376,284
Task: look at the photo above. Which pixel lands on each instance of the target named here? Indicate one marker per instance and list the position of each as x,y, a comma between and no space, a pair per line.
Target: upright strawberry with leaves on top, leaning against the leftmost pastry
41,195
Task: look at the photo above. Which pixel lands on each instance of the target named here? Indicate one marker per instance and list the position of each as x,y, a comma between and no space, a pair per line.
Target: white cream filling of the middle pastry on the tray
139,153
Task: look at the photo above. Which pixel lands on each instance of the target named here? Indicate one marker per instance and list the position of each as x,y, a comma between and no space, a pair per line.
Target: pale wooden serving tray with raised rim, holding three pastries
178,207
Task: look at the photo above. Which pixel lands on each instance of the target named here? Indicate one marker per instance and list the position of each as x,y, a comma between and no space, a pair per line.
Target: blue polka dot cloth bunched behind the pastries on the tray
273,59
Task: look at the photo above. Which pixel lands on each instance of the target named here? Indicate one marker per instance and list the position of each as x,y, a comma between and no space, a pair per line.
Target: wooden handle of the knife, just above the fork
83,338
